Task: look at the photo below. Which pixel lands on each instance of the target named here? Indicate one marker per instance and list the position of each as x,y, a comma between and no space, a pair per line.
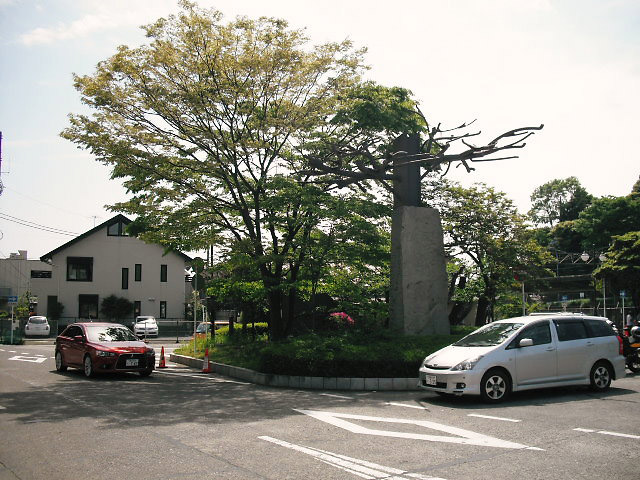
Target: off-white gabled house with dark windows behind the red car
106,261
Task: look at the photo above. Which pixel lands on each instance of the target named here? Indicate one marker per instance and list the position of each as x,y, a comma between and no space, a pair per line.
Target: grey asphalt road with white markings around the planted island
182,424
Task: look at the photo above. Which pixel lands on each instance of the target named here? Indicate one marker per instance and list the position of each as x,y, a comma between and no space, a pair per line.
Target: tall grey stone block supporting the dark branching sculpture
418,272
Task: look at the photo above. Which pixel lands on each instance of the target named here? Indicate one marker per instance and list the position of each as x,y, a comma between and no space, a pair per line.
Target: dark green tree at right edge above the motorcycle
622,265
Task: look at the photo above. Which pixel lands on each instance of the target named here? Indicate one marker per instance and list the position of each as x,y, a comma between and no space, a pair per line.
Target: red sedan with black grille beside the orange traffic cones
103,347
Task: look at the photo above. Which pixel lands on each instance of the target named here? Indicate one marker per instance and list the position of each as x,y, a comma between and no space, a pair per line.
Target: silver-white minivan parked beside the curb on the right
524,353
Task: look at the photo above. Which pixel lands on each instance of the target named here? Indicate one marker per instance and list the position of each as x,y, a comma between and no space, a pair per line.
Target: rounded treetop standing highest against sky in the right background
558,201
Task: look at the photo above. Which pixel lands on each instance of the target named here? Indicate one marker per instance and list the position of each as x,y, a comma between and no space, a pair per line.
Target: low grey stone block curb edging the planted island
312,383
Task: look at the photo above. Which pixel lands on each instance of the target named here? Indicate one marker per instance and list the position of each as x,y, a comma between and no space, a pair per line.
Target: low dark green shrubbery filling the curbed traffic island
347,354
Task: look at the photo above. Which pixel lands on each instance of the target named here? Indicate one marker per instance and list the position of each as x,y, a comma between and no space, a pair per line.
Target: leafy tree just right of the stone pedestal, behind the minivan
483,225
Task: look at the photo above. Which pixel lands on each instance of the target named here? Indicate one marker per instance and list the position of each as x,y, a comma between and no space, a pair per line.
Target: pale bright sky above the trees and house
571,65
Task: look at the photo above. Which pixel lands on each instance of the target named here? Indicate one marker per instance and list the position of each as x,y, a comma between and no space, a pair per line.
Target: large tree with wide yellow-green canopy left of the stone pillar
205,125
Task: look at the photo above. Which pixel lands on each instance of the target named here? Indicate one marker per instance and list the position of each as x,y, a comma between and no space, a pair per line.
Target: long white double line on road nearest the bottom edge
360,468
